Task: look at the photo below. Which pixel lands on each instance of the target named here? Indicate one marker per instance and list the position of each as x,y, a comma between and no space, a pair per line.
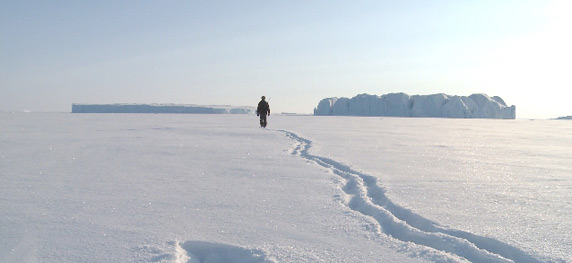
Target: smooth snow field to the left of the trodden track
133,188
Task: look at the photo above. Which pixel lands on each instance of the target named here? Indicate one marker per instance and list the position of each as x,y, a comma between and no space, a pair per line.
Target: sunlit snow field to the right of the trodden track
504,184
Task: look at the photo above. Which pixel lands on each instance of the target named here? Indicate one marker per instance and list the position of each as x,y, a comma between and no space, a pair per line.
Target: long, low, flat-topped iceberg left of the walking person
161,108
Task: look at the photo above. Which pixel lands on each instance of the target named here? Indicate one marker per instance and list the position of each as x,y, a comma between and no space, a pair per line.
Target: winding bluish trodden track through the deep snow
368,198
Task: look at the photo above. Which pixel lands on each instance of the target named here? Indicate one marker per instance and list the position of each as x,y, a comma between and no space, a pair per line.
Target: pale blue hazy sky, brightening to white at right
55,53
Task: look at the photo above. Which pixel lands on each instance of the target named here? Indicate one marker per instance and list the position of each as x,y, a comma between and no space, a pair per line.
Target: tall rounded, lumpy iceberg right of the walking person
404,105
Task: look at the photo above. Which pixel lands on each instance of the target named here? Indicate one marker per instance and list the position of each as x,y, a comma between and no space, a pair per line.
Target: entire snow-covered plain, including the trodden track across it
216,188
